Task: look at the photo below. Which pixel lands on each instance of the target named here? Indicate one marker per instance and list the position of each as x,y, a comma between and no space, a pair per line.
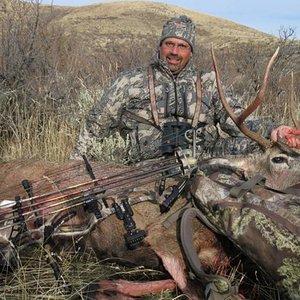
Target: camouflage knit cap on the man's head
179,27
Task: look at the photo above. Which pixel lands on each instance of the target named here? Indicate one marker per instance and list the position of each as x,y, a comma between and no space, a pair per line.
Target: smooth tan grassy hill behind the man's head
127,22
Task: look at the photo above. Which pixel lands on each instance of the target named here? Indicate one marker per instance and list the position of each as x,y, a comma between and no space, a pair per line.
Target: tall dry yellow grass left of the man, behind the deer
40,129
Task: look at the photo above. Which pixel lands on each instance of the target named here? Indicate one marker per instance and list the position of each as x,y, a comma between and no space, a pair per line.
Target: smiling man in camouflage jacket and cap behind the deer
156,106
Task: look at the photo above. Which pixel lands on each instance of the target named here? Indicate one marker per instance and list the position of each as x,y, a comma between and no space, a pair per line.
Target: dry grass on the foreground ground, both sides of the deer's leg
34,279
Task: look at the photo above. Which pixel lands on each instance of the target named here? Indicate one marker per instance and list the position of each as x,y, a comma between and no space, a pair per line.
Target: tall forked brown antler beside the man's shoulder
237,120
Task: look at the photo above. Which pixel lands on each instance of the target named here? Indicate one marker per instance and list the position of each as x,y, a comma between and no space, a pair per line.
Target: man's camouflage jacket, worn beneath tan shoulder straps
125,108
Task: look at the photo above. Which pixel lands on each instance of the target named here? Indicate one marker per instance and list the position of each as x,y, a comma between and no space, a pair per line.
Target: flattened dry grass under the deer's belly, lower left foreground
35,279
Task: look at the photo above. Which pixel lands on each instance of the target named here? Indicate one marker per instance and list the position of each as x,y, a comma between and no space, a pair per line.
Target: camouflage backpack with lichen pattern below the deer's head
262,223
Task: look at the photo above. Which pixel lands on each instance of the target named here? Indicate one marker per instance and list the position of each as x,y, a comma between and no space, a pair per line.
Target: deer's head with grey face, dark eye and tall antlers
279,163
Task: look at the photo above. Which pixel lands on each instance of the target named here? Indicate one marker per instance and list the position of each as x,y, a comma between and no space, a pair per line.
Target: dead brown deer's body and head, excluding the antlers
161,243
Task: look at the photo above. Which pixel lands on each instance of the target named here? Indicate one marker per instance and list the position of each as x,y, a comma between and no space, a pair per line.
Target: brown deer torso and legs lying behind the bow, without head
106,237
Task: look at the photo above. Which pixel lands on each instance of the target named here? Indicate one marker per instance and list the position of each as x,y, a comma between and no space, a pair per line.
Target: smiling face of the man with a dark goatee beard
176,53
